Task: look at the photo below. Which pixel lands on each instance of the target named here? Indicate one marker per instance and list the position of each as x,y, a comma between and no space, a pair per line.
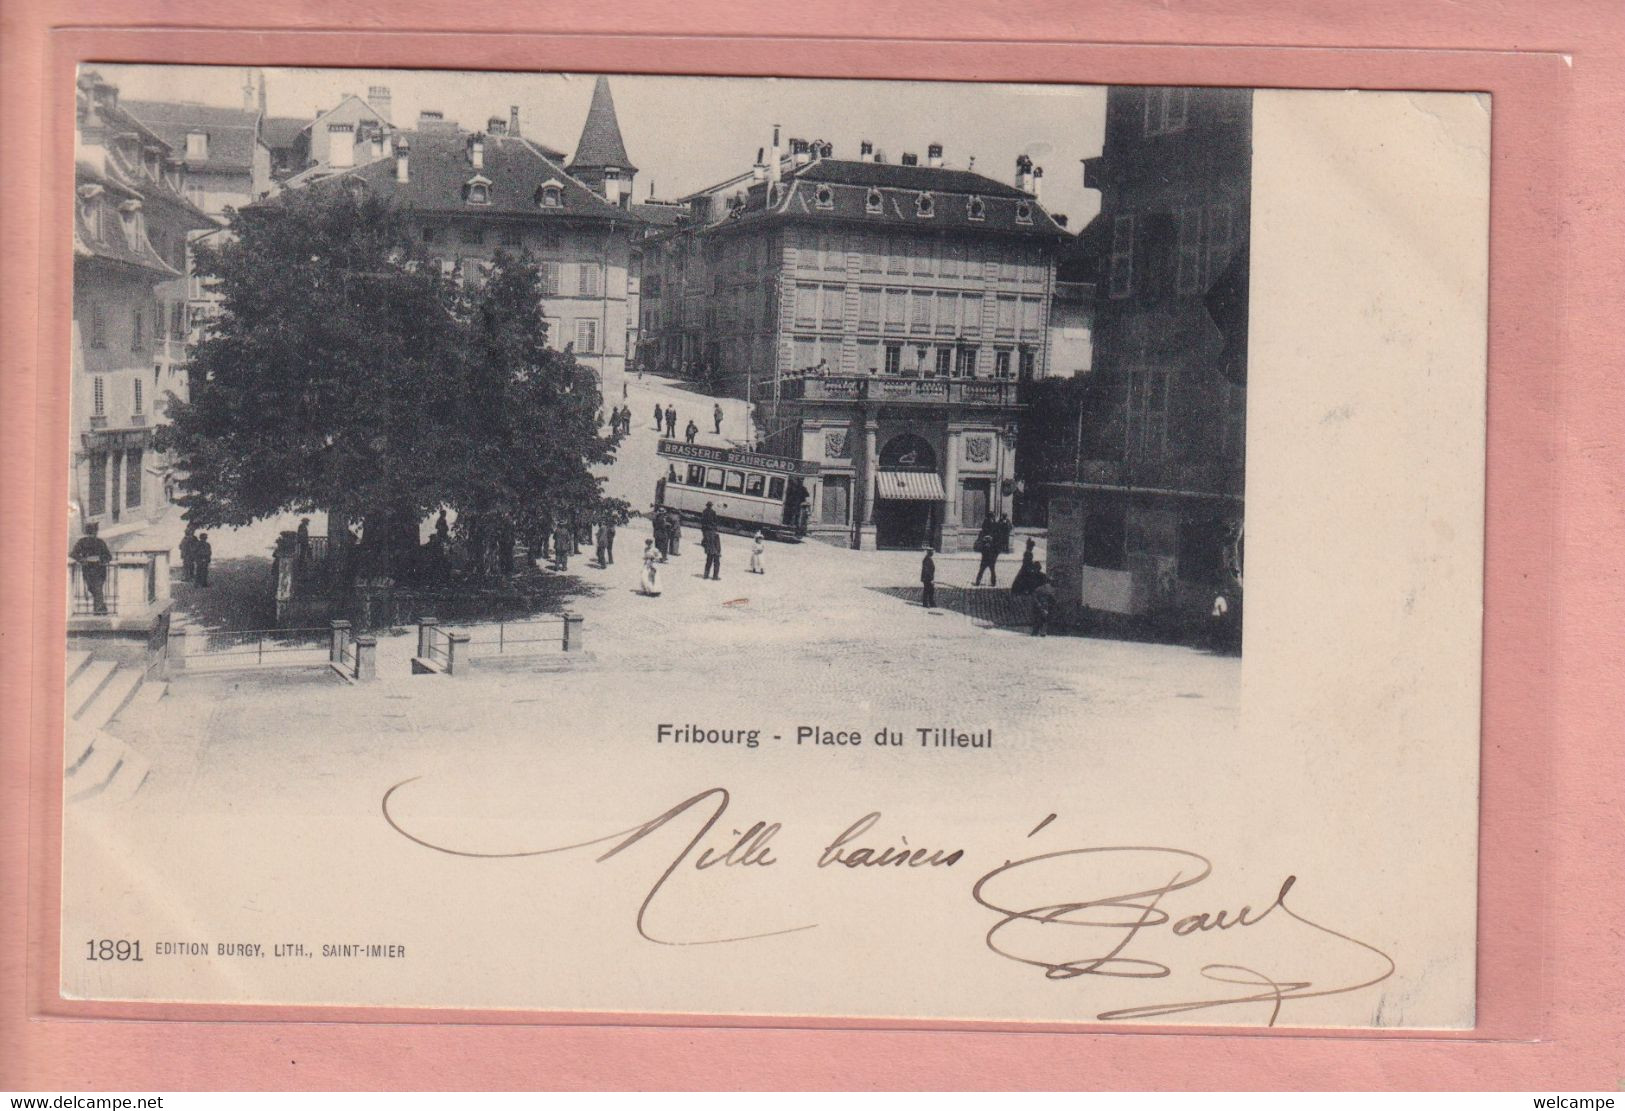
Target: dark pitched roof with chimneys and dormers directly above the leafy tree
516,168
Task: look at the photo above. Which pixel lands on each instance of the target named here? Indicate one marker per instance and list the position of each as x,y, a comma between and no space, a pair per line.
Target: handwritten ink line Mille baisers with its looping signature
1070,914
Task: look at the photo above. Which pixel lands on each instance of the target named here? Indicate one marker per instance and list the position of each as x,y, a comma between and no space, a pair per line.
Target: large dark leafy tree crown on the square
345,376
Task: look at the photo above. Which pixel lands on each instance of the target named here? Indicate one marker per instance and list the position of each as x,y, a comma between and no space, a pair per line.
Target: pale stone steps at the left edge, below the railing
100,764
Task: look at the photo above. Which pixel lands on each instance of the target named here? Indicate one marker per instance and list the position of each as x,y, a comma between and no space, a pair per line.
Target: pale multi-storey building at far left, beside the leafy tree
131,228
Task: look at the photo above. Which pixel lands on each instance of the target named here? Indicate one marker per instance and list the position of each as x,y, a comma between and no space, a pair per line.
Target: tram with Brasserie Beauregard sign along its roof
747,490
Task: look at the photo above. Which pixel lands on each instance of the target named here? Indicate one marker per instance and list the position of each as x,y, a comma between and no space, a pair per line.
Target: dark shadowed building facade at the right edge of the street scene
1148,524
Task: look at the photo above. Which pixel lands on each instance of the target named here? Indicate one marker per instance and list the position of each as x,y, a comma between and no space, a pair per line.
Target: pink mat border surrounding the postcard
1551,969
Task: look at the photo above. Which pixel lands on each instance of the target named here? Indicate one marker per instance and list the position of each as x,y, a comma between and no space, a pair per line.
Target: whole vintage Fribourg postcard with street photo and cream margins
737,547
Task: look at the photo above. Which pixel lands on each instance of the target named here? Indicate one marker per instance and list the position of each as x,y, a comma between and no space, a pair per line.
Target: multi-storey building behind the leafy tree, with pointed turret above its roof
470,194
